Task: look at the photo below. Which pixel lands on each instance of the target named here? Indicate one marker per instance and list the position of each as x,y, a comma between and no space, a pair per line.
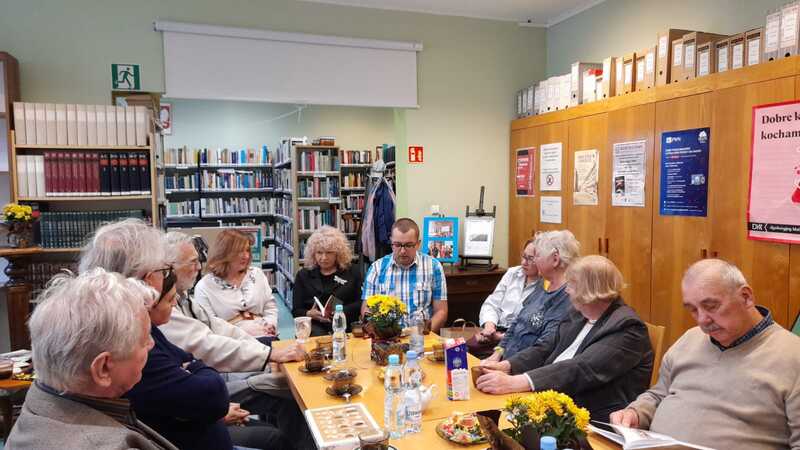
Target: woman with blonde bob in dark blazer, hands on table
601,354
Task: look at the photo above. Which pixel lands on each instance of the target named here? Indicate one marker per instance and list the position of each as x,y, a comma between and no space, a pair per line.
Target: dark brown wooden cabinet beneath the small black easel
466,291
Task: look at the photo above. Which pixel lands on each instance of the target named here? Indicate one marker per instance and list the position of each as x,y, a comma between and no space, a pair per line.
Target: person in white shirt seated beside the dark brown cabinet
502,306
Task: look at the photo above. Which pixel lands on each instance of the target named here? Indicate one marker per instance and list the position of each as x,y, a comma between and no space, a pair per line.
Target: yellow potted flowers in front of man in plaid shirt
384,324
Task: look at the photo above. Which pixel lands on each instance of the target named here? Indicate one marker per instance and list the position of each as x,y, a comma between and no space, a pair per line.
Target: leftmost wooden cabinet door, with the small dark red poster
523,211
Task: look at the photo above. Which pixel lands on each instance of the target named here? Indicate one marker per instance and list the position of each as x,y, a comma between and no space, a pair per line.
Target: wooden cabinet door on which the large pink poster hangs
764,264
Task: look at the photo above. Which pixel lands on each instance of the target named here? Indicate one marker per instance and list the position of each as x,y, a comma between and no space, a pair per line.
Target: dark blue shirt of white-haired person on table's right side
541,313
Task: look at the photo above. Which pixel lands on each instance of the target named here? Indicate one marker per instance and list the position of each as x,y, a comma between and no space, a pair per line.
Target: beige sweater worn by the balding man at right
747,397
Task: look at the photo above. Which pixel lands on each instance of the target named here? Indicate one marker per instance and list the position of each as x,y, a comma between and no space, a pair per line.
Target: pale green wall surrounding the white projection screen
468,74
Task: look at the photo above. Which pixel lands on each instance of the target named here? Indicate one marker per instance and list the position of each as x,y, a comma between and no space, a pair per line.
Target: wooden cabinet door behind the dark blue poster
678,241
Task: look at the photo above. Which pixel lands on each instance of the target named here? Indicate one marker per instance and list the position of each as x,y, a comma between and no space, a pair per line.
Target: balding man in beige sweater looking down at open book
732,382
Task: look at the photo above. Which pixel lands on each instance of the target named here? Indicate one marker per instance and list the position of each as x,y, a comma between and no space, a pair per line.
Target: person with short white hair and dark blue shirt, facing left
548,304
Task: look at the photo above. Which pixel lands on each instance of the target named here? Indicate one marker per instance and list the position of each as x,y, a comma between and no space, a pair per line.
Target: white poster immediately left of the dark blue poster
628,174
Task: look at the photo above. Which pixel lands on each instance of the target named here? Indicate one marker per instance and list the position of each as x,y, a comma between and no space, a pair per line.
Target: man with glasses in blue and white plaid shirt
415,278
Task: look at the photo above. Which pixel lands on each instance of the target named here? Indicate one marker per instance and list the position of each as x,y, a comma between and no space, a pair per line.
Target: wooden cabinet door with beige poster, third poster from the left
587,222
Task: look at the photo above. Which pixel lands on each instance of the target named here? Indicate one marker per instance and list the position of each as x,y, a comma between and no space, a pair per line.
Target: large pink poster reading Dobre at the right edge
773,213
